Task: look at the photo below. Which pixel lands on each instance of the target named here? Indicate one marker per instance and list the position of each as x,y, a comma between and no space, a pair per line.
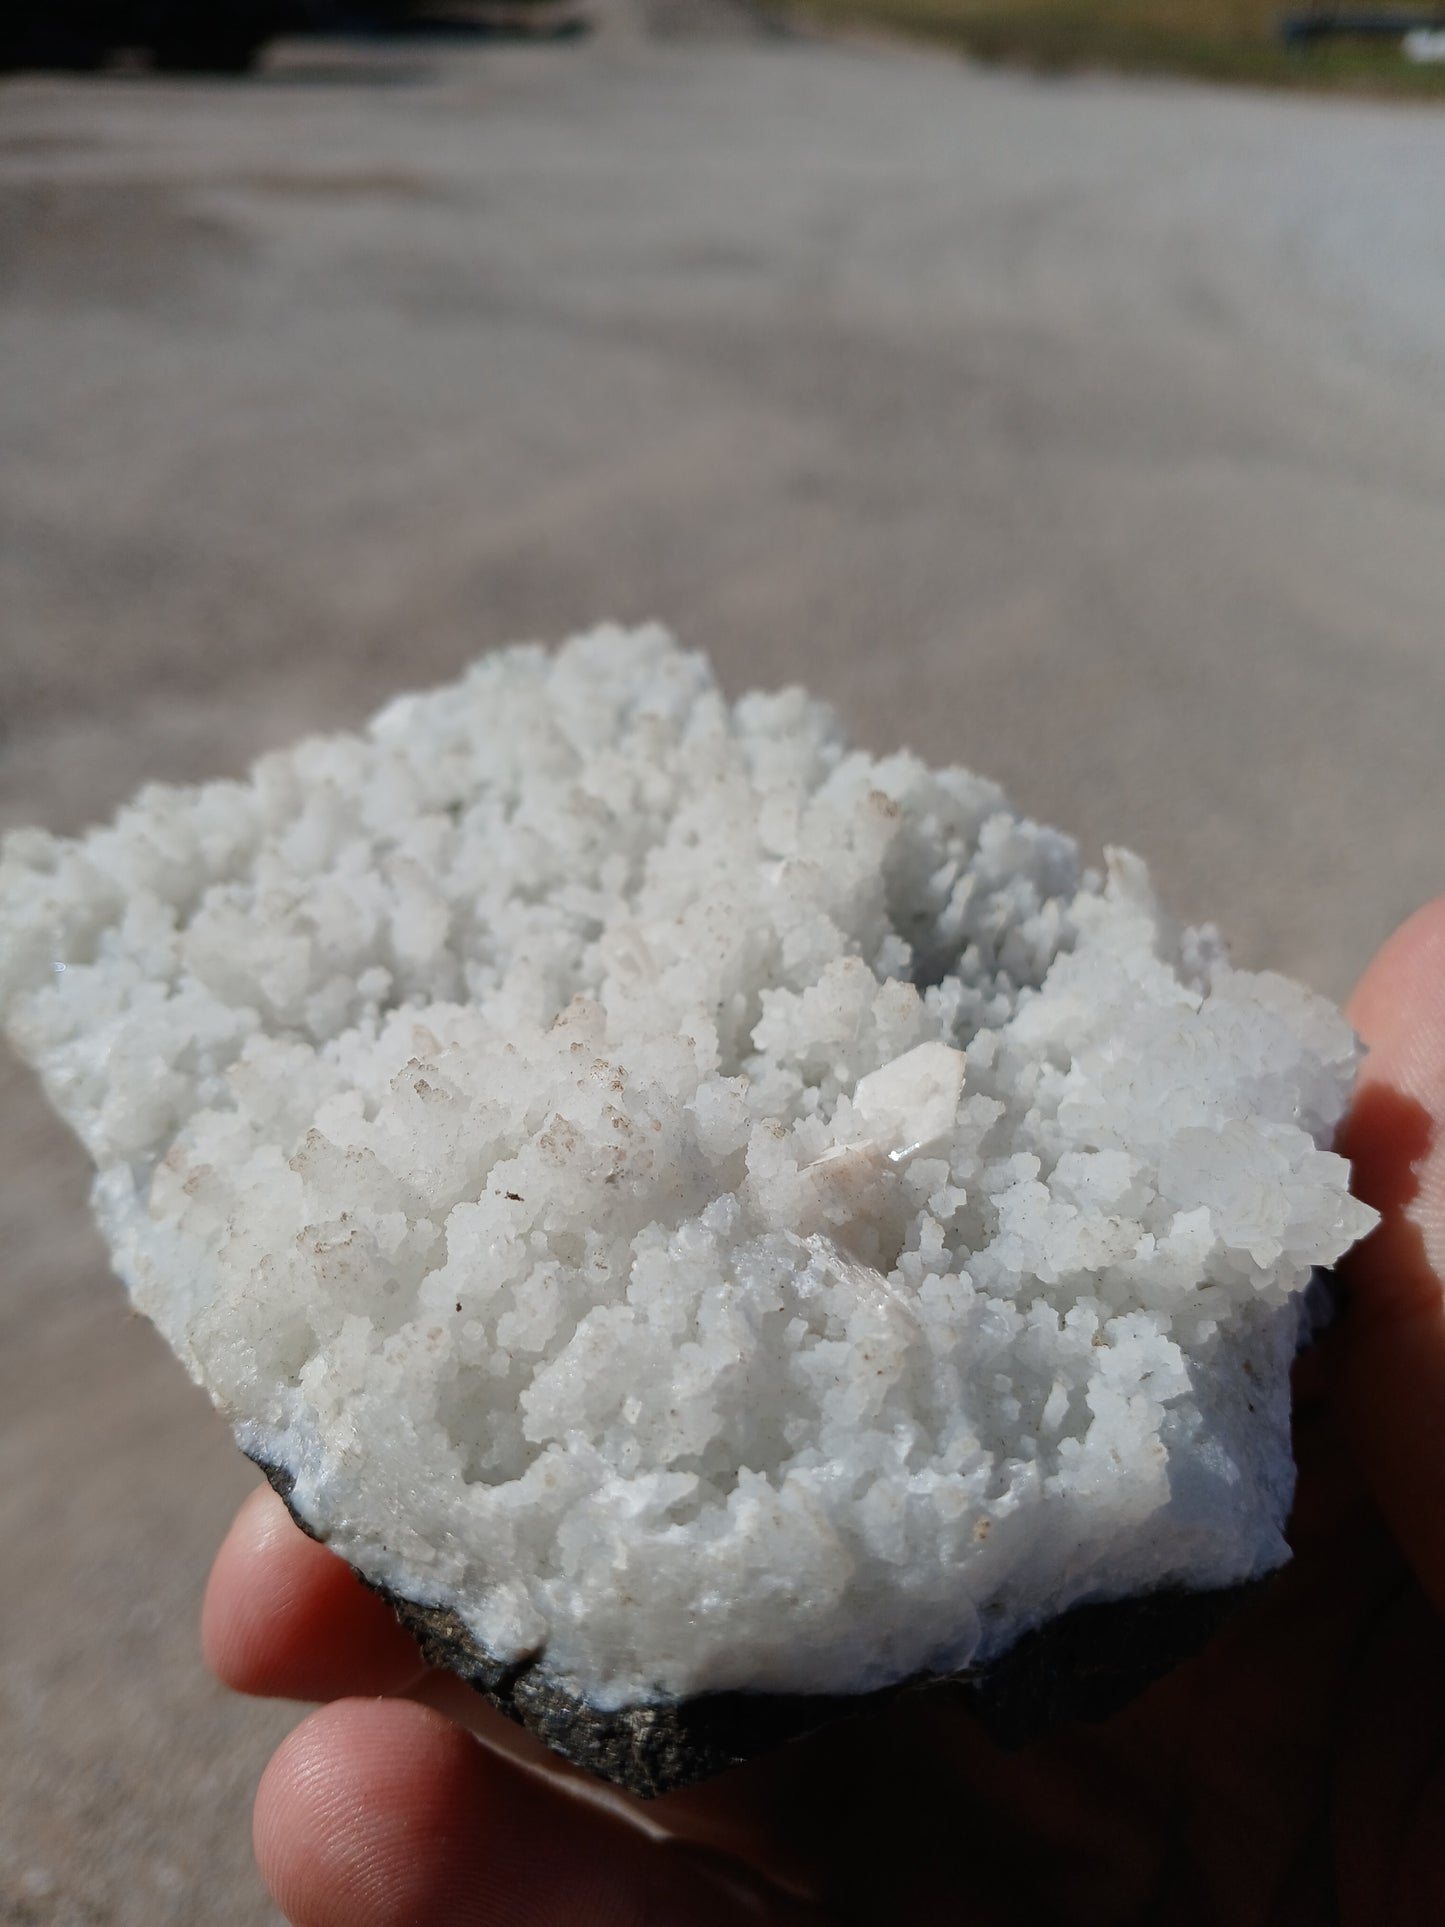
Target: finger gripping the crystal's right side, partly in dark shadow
1392,1350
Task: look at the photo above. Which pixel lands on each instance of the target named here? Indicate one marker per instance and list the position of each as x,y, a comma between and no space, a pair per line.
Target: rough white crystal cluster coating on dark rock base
712,1207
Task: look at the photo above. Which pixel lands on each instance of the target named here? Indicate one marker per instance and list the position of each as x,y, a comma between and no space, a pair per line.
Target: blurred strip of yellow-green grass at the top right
1209,40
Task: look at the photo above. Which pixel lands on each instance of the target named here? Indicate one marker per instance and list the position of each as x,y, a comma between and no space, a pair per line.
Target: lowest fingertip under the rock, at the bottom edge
381,1812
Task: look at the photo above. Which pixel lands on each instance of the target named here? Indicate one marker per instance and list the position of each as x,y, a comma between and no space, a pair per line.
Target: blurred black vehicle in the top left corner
176,36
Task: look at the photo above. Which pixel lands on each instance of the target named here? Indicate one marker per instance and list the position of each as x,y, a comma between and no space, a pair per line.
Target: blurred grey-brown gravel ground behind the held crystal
1086,433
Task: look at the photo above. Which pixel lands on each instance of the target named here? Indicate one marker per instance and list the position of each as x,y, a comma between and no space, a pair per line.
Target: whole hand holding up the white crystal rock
1292,1776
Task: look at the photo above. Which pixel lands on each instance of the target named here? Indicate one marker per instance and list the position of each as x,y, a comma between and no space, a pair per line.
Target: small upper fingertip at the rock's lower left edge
290,1620
